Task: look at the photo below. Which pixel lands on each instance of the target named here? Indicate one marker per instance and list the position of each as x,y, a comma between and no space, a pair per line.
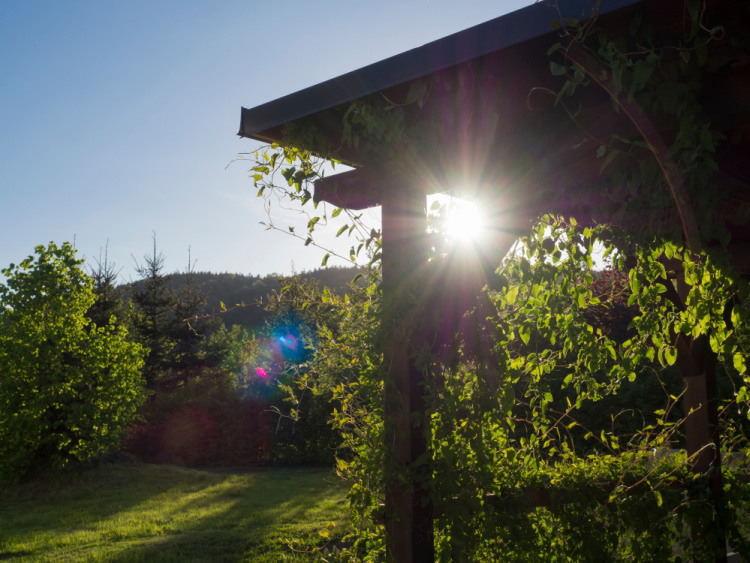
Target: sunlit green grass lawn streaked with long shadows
138,512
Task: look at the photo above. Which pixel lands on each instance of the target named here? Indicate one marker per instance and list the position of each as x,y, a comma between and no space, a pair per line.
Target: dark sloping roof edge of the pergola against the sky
493,35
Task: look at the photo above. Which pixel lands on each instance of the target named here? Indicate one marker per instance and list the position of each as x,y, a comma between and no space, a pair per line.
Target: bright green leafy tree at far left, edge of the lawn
67,389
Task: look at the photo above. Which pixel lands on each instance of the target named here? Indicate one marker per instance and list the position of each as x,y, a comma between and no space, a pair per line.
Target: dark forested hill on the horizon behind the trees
233,289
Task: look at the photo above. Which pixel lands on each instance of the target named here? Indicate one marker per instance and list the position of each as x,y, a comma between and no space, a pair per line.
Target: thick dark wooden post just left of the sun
408,519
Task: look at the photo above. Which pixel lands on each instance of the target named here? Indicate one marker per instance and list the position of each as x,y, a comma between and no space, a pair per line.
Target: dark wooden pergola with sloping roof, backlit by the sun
506,144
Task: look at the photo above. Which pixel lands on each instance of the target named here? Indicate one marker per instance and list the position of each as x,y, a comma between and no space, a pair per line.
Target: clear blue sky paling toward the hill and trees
120,118
